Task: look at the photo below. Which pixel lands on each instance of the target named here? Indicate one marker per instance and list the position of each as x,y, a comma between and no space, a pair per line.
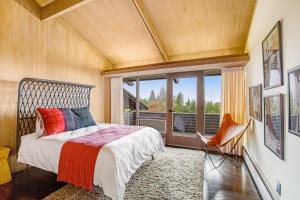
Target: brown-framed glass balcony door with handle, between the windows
185,109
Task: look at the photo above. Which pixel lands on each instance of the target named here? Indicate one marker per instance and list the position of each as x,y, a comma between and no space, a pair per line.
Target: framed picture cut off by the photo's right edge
294,100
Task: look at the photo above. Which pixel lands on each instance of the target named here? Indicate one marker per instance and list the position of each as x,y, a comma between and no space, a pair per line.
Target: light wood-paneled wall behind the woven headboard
30,48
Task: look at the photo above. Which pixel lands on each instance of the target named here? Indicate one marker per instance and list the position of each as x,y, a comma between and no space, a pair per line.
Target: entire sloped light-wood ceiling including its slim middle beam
141,32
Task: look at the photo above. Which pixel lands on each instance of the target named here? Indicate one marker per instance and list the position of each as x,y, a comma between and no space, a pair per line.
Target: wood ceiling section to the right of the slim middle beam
195,26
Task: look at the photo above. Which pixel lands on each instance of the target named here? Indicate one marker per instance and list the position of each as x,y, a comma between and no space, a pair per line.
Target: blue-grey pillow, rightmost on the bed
83,118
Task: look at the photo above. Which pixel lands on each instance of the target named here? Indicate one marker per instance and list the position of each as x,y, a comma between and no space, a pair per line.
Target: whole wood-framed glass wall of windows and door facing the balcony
177,105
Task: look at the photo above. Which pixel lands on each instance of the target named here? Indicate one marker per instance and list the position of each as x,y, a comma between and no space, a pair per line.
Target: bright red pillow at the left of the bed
53,120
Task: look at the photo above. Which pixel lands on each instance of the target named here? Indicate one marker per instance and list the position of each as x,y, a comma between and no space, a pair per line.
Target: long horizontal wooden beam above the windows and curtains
225,61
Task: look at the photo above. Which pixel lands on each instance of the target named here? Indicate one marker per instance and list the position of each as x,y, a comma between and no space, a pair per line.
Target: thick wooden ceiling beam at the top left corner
60,7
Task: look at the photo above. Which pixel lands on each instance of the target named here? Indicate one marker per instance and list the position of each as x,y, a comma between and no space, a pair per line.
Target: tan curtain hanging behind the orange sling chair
233,99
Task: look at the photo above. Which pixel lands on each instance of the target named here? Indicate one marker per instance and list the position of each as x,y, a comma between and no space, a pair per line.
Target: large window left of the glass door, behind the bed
152,102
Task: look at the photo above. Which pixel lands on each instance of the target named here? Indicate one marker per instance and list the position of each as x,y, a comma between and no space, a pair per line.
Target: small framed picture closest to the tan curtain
255,102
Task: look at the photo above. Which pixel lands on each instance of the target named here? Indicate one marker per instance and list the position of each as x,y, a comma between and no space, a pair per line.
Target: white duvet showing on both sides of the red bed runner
116,161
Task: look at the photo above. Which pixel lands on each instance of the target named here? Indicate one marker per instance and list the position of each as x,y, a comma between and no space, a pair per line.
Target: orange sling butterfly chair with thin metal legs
226,133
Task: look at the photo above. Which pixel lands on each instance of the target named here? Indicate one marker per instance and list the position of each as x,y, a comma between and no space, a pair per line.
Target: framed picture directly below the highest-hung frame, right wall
274,124
